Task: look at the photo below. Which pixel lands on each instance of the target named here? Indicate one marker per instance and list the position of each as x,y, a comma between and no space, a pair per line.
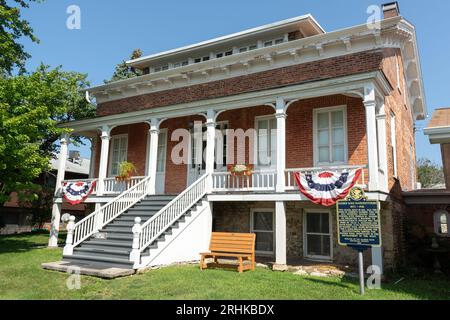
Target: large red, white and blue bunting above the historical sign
327,188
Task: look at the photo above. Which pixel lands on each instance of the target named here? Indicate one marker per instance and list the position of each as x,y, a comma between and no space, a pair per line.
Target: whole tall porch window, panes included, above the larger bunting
330,136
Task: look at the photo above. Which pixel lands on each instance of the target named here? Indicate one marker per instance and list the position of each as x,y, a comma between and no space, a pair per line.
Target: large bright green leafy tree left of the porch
31,105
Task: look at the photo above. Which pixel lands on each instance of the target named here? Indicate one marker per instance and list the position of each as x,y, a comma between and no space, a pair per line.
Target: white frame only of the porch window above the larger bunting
316,112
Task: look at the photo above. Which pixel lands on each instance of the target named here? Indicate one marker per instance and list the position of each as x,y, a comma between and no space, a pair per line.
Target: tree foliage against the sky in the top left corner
12,28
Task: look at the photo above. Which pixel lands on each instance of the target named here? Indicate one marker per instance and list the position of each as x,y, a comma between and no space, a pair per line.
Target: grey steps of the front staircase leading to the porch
111,247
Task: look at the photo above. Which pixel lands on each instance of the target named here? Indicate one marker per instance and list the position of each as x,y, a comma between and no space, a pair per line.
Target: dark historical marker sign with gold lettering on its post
359,226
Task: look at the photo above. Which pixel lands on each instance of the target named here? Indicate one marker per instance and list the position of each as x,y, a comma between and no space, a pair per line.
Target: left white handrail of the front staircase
101,217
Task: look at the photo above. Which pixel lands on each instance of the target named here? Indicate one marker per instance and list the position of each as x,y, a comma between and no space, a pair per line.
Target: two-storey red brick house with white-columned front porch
317,100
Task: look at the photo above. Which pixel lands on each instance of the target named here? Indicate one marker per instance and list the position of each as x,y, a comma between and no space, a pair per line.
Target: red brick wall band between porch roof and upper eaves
311,71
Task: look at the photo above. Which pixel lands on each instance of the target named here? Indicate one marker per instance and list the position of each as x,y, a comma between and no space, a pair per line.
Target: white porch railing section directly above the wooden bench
260,180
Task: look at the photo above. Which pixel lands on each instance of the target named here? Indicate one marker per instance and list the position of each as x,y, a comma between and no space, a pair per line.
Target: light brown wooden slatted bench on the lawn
231,245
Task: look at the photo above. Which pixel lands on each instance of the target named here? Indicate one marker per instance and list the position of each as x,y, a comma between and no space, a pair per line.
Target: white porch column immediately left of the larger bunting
281,144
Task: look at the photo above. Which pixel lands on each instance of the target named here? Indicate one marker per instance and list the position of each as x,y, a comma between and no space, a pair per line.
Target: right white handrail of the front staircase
173,211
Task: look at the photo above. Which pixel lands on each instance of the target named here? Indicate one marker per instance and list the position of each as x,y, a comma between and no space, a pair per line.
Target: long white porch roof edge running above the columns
343,85
